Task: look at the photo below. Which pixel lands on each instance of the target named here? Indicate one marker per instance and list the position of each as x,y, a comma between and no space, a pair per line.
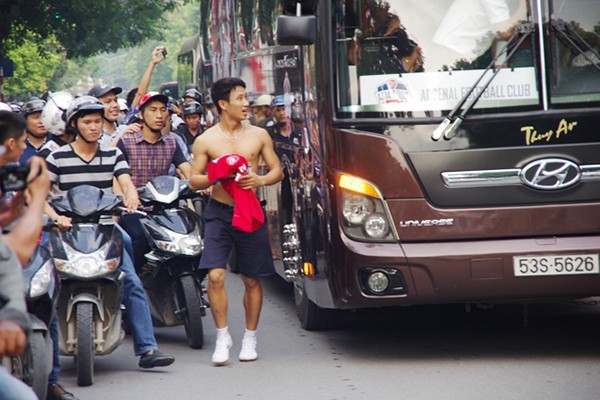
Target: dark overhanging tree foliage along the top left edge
86,27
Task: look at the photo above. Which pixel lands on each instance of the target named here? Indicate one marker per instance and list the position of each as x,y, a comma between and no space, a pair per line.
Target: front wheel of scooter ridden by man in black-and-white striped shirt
85,344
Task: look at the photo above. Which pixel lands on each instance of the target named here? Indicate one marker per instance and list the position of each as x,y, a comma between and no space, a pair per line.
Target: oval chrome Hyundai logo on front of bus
550,174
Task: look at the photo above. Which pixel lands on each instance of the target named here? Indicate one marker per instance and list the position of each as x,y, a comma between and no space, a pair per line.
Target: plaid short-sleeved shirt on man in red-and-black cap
149,160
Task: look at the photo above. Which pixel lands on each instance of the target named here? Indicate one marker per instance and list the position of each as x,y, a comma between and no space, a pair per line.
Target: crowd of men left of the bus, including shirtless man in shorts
118,145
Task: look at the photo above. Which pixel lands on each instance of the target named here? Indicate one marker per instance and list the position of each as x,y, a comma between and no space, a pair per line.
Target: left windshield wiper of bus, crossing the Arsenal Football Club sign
452,121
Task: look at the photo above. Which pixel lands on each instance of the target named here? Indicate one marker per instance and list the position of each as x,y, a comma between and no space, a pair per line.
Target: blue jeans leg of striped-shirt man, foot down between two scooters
135,302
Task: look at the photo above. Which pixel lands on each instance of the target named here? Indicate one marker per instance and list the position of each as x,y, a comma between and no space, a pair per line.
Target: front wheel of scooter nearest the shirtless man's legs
192,297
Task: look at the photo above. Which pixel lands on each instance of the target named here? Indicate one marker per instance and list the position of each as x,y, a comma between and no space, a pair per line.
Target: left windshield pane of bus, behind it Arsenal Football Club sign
418,59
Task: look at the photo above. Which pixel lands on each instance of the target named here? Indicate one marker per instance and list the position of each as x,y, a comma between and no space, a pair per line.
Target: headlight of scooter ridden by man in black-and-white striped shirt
87,265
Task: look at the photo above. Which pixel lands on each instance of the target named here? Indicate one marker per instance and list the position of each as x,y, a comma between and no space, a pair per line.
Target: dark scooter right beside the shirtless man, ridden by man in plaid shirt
170,274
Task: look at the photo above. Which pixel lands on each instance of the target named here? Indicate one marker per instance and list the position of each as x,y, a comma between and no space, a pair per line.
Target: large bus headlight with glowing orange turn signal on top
364,215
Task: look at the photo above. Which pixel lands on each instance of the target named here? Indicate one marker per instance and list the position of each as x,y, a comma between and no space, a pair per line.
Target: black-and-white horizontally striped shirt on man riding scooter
67,170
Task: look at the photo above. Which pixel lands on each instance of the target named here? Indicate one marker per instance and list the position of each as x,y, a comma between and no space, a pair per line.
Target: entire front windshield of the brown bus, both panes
419,58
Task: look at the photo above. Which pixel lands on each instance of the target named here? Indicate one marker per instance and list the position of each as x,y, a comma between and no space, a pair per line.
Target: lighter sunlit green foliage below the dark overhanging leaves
42,64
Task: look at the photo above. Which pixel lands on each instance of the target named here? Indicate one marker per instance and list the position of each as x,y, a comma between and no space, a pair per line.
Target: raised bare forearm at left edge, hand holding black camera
23,237
